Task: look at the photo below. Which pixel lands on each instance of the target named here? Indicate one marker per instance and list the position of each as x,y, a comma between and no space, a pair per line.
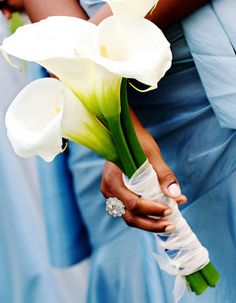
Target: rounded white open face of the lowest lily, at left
33,120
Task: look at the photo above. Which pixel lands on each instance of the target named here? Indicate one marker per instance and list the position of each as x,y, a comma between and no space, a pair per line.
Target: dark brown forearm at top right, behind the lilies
168,12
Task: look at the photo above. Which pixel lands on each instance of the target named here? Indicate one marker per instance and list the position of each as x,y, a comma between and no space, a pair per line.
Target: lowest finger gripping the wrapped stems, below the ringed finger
148,224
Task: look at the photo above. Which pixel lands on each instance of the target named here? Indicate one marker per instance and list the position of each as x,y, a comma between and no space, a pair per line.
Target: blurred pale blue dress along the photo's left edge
25,272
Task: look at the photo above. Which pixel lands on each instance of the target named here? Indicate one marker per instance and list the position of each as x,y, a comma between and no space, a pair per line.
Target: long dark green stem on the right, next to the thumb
128,128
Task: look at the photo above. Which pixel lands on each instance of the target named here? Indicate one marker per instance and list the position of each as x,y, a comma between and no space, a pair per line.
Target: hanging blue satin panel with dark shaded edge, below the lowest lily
62,216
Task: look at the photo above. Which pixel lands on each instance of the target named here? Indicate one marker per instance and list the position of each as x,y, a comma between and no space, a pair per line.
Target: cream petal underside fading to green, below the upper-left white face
94,85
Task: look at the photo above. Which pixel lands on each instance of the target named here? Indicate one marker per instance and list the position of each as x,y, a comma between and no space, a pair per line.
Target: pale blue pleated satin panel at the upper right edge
211,35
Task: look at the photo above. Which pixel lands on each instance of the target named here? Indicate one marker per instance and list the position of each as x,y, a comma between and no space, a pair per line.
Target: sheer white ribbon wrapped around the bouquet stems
184,253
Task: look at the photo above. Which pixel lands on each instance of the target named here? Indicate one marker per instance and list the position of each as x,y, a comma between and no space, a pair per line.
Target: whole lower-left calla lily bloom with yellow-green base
46,111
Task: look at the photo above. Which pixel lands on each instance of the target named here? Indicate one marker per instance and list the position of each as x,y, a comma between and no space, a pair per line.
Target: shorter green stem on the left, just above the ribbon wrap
121,146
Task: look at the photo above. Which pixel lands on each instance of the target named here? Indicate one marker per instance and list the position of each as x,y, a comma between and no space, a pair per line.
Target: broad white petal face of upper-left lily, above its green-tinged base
53,37
